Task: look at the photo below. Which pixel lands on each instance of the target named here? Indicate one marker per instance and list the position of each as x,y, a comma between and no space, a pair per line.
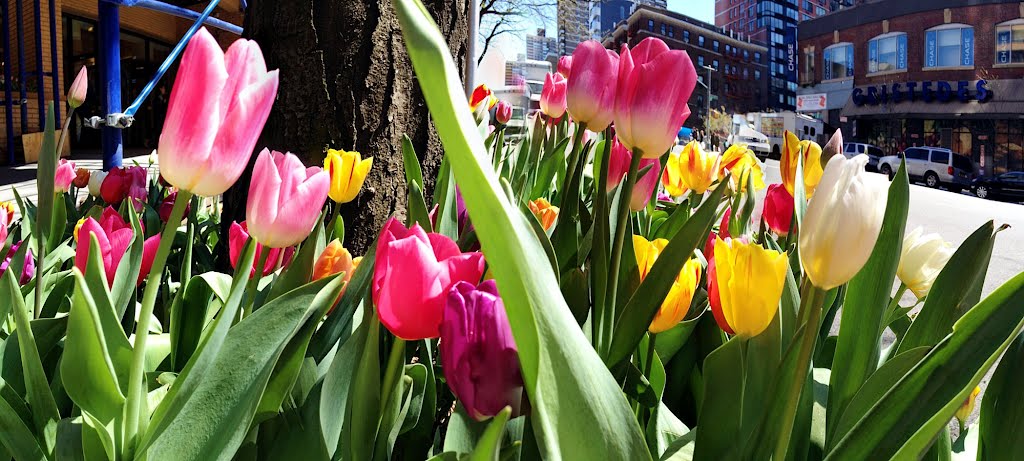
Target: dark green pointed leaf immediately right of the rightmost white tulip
956,290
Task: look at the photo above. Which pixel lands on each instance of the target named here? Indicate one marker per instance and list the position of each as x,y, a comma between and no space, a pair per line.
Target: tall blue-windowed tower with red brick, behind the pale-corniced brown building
775,22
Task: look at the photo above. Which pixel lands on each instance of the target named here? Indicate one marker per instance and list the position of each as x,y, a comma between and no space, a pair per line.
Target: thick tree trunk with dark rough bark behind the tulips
347,82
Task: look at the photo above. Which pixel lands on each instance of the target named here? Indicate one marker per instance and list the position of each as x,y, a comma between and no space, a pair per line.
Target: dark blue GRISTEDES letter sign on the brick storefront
964,92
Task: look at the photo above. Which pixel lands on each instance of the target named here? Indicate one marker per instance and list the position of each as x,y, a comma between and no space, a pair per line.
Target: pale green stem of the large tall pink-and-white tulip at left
137,381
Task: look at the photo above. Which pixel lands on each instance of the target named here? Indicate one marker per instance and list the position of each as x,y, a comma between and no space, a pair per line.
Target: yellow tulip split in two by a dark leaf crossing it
677,303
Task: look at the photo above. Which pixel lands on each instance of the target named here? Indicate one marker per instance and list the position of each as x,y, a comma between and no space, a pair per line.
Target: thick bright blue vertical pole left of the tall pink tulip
110,74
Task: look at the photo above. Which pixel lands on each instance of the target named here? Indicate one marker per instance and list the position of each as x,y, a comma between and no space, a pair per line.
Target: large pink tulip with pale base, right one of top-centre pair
655,85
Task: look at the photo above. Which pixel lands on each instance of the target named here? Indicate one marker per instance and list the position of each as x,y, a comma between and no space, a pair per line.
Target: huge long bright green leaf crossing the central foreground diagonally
567,382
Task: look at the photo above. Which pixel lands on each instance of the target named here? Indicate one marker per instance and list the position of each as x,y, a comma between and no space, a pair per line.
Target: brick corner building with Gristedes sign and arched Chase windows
900,74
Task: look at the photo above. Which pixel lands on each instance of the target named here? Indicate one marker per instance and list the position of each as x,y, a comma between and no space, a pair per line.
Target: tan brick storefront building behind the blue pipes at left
30,75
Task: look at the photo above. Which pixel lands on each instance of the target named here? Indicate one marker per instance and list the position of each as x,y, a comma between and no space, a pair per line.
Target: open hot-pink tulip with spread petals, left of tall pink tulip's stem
114,235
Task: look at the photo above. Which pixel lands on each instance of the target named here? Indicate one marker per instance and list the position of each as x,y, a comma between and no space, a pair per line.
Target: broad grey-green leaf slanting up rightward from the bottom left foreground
216,416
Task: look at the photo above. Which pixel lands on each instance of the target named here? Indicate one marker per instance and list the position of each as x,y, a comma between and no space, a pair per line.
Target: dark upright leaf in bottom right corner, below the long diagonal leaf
1003,407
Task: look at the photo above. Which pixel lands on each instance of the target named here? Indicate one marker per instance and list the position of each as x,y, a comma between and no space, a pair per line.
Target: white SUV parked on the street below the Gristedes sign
935,166
